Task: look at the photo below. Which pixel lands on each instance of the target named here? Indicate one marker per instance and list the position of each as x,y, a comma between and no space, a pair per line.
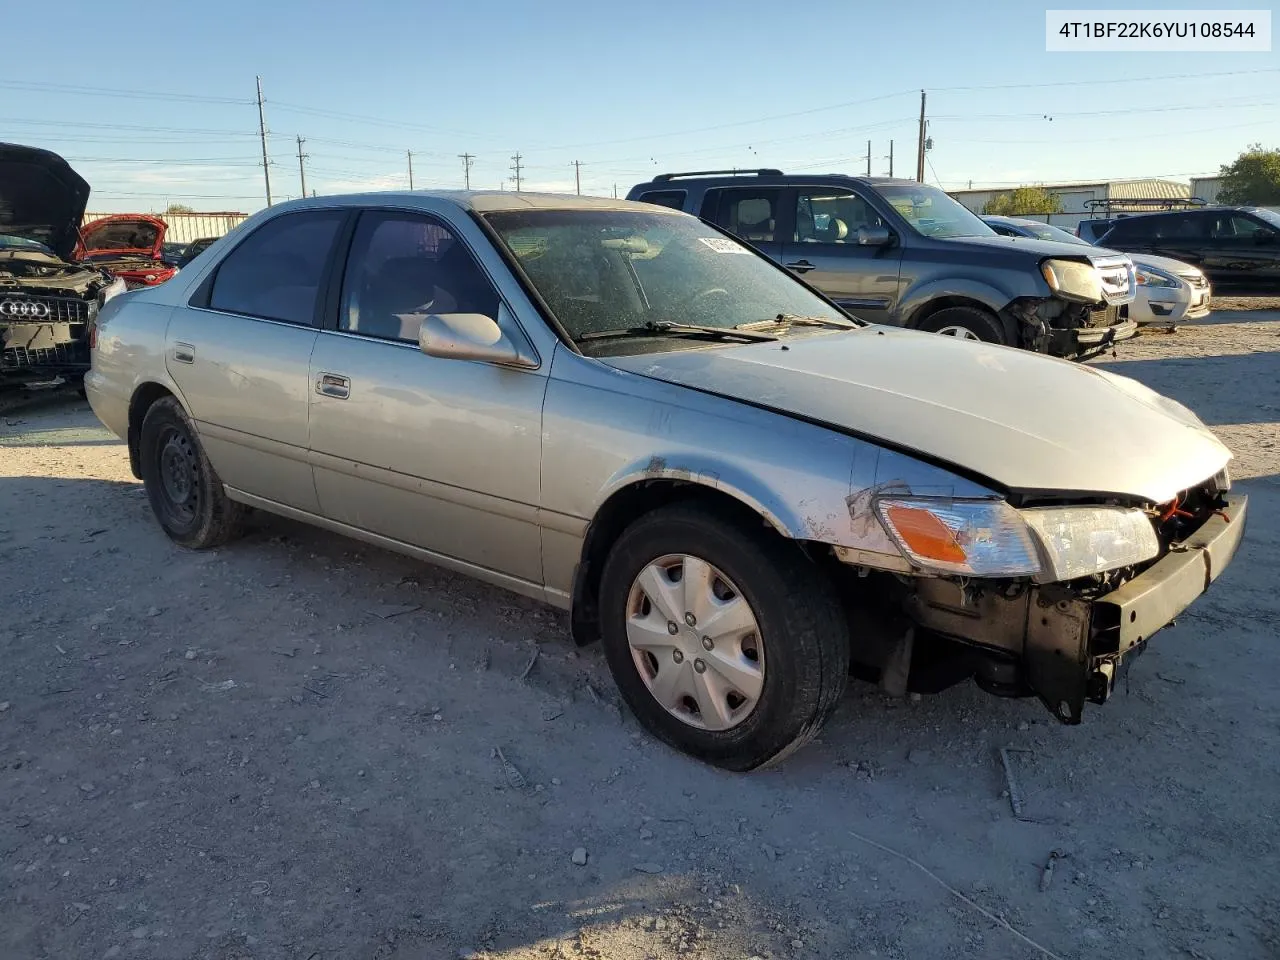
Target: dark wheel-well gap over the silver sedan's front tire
623,509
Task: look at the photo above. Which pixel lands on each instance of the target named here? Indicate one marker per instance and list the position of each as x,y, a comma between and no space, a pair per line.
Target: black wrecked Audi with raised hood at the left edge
47,300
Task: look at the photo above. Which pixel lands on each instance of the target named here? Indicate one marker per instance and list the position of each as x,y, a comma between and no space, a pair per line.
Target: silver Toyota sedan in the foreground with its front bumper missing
621,412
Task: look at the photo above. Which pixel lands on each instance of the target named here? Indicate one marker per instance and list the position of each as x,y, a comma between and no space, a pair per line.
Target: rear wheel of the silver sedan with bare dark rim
185,491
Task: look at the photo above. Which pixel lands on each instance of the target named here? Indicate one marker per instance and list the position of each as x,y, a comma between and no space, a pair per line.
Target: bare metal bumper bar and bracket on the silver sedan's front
1068,650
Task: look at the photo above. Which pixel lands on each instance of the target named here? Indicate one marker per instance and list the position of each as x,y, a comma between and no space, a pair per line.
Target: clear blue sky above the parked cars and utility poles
628,90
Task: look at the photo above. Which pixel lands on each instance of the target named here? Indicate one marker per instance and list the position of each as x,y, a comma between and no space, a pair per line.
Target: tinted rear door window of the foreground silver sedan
277,273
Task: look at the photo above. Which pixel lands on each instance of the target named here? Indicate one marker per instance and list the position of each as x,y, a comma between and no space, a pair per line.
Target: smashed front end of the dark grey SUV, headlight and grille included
1087,312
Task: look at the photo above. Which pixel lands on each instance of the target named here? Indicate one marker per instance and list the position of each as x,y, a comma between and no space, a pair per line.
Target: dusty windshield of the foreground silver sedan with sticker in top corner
605,271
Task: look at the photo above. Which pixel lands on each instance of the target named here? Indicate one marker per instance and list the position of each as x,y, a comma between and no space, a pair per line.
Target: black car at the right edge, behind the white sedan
1238,248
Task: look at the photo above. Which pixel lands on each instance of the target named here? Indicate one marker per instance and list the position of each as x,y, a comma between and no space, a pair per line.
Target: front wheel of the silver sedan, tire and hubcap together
726,644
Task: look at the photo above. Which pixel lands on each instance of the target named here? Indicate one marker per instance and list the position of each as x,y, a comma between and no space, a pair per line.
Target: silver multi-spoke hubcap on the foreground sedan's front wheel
696,642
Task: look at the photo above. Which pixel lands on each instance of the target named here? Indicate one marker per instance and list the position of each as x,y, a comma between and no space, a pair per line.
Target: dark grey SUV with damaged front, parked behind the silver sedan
902,253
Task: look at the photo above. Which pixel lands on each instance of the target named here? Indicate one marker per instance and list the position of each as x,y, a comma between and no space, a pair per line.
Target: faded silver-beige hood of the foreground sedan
1028,423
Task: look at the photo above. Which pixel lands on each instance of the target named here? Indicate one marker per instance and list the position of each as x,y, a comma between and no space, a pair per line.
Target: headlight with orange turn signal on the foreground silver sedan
991,540
